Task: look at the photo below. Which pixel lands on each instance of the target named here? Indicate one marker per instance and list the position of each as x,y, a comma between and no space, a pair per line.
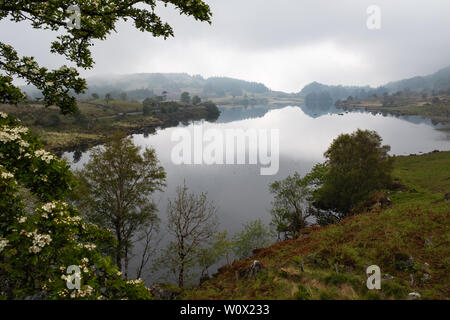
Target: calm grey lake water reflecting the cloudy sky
239,191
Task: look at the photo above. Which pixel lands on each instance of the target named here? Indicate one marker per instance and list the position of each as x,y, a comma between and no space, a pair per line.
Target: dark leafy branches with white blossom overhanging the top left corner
78,27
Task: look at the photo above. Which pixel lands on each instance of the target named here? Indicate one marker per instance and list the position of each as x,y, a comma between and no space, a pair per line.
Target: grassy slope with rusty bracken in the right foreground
409,240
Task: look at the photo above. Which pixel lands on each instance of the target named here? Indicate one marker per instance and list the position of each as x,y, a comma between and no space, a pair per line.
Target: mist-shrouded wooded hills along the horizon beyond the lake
139,86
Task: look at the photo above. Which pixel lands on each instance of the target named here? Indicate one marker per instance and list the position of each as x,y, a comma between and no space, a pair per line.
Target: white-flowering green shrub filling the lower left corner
41,235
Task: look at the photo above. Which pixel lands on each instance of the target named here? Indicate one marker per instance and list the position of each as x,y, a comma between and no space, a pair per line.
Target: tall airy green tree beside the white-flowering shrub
115,189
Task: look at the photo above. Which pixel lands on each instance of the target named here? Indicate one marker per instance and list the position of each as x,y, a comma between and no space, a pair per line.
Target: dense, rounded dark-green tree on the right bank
357,165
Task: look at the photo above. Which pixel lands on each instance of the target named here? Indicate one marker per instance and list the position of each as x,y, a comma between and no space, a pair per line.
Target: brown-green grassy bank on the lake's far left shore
96,120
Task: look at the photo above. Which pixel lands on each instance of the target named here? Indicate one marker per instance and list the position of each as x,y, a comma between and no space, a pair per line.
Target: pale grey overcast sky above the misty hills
283,43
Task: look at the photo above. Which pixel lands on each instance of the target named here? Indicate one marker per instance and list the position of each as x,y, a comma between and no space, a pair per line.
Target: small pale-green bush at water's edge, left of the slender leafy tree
253,236
